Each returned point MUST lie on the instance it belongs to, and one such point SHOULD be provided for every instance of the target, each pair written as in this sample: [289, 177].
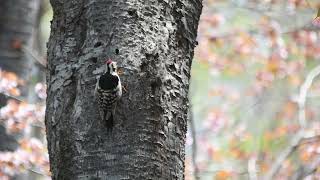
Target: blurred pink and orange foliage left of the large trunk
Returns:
[19, 117]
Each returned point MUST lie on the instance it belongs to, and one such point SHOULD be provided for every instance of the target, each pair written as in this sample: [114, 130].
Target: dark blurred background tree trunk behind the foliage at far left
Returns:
[17, 22]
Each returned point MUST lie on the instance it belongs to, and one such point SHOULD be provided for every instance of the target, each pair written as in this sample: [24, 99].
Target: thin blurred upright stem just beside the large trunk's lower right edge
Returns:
[194, 146]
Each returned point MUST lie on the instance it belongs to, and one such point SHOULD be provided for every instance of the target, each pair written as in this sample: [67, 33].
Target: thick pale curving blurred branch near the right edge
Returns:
[302, 121]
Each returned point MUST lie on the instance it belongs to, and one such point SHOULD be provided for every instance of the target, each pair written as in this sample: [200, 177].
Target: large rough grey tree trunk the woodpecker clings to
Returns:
[153, 41]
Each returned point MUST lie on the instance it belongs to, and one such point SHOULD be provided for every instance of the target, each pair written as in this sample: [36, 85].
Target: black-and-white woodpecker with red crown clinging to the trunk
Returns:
[107, 92]
